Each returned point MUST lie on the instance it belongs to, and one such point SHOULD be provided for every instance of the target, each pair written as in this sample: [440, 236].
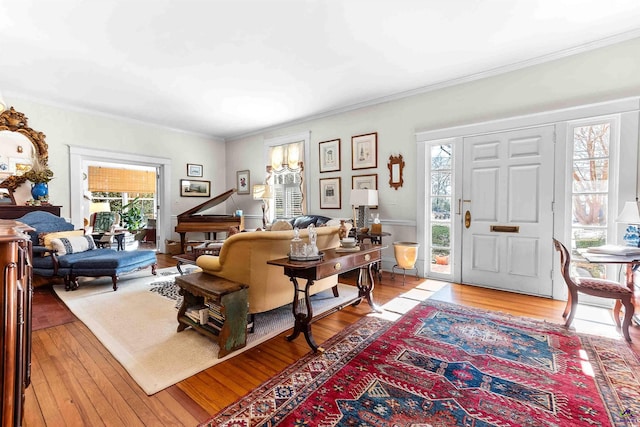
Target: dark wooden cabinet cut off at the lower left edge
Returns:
[15, 338]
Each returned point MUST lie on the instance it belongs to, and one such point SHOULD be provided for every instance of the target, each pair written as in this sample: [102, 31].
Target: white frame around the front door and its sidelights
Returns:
[627, 170]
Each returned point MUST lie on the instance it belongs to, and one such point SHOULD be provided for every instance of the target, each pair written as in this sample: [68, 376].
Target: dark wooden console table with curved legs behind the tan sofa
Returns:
[334, 261]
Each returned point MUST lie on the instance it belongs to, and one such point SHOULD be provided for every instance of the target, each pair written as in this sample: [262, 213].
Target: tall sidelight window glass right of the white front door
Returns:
[590, 192]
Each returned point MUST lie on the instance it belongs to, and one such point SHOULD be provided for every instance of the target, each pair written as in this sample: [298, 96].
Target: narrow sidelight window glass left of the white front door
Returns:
[441, 201]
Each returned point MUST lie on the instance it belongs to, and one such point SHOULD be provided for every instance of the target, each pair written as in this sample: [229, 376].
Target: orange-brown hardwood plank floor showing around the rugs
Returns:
[75, 381]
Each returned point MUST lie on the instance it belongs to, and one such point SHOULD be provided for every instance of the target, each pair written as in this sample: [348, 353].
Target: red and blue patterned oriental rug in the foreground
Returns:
[448, 365]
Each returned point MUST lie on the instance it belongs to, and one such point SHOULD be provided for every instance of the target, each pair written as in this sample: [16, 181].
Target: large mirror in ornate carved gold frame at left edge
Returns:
[19, 144]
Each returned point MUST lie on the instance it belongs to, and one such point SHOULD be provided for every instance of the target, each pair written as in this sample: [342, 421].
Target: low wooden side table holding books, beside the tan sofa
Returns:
[227, 304]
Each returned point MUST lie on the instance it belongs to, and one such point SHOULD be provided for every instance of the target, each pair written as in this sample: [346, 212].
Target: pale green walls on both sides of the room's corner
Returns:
[600, 75]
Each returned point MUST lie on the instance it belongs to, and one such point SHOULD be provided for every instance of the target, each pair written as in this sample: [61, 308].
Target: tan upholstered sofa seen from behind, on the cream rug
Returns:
[243, 259]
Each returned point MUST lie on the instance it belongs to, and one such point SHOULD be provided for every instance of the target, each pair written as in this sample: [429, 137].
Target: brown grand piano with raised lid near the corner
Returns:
[195, 220]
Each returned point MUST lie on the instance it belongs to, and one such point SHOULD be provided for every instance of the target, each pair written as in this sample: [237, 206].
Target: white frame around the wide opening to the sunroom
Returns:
[77, 155]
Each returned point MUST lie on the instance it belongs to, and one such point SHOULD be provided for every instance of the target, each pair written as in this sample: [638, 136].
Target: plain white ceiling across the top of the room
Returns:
[226, 68]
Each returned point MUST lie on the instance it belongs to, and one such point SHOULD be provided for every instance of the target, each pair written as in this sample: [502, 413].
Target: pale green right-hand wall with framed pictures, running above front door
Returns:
[596, 76]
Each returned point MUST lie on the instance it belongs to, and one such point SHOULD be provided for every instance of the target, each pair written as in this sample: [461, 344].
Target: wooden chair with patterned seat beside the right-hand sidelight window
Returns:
[597, 287]
